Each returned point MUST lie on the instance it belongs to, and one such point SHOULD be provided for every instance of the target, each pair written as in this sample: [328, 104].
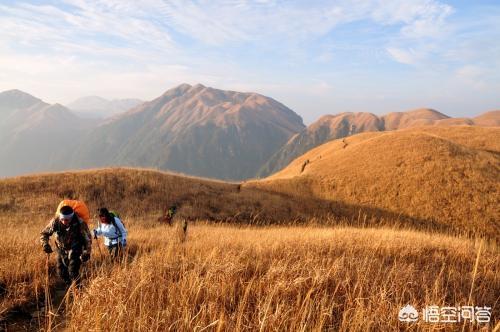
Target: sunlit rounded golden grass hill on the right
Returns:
[446, 176]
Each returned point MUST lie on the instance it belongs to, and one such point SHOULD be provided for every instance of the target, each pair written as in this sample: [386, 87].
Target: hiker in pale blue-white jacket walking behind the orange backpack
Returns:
[113, 230]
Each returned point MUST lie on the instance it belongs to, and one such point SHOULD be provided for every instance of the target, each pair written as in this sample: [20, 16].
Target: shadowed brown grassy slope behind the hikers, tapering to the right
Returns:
[142, 193]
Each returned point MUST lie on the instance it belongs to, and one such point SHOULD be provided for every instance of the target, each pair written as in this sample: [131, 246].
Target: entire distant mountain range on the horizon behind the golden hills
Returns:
[196, 130]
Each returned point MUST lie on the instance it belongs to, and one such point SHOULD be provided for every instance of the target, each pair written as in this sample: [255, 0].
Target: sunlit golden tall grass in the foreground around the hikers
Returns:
[228, 277]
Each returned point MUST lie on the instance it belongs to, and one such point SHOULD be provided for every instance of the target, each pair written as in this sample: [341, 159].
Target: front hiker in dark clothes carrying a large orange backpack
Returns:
[73, 243]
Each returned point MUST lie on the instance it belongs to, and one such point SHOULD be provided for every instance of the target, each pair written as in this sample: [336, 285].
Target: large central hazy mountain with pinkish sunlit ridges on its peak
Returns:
[195, 130]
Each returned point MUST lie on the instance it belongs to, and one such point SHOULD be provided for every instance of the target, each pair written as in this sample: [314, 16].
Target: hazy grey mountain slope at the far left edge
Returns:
[35, 136]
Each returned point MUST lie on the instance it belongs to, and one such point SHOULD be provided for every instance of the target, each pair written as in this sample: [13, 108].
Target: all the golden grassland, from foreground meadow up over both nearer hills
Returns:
[371, 223]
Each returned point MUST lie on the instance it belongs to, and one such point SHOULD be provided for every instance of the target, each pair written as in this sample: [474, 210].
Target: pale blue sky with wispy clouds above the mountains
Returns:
[316, 57]
